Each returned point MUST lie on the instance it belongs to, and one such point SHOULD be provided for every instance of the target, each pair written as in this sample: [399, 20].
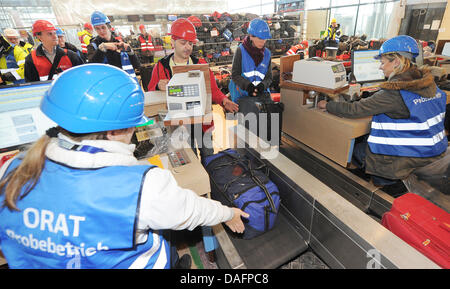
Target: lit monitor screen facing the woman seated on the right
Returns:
[364, 67]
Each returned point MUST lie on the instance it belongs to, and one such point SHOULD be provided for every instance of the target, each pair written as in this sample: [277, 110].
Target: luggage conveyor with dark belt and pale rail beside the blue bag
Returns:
[312, 217]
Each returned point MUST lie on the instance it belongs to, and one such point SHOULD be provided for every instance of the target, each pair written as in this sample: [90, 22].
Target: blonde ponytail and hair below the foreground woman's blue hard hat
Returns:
[27, 174]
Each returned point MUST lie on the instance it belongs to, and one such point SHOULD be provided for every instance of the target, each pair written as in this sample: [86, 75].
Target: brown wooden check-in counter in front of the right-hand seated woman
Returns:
[330, 135]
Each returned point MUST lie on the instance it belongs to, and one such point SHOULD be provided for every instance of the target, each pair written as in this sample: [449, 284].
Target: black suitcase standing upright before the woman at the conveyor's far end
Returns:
[266, 112]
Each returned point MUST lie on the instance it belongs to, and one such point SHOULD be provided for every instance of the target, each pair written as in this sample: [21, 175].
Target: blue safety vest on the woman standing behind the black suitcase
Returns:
[255, 74]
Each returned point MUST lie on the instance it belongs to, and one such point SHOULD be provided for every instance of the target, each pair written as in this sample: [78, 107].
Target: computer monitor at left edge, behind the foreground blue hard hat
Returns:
[21, 120]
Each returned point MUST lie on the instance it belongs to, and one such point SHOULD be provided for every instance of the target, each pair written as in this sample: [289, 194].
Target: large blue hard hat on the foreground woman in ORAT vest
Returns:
[94, 97]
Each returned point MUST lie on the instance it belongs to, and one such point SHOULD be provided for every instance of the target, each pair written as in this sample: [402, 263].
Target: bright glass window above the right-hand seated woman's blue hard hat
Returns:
[373, 19]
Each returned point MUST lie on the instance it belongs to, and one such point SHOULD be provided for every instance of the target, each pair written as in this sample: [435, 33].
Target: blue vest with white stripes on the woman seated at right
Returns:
[421, 135]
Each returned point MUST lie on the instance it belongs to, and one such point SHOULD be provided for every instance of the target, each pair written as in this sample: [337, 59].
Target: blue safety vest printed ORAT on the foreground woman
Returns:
[70, 221]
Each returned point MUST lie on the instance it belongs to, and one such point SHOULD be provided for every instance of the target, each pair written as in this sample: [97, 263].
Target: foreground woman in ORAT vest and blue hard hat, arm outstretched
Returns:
[79, 199]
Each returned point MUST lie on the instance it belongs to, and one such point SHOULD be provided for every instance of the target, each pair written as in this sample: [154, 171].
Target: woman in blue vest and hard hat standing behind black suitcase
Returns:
[252, 71]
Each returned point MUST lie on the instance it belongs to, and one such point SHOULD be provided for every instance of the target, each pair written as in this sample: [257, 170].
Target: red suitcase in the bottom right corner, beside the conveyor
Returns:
[422, 225]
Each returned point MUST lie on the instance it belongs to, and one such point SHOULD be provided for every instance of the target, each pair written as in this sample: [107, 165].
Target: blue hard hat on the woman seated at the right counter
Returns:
[402, 44]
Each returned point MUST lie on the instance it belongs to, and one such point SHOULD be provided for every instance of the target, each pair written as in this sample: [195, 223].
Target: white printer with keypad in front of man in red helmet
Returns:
[186, 94]
